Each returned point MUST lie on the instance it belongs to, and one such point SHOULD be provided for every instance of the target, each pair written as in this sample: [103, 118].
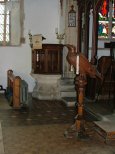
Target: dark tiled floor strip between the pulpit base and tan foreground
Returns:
[39, 112]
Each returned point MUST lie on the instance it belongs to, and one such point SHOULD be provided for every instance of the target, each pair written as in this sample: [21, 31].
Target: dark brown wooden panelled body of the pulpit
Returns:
[47, 60]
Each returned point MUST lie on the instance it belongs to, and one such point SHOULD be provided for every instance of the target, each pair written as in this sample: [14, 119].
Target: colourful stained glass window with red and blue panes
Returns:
[106, 22]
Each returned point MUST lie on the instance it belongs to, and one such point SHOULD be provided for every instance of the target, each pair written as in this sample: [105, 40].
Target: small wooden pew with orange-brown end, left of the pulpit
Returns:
[17, 90]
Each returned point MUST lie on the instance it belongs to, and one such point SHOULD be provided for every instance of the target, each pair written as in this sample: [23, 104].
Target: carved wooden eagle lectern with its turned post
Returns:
[83, 68]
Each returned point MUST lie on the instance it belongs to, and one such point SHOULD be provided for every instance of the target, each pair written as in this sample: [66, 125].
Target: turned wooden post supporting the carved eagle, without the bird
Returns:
[80, 89]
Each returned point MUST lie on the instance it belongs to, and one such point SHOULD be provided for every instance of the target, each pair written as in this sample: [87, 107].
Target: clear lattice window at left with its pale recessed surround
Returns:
[11, 22]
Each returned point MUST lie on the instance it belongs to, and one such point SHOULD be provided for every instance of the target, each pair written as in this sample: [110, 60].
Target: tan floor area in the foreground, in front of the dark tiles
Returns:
[50, 139]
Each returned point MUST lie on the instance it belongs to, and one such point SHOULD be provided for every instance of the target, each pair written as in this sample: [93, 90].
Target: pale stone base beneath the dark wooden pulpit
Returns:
[46, 87]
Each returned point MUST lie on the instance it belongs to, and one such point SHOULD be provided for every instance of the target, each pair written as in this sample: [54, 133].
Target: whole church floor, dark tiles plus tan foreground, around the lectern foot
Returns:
[40, 128]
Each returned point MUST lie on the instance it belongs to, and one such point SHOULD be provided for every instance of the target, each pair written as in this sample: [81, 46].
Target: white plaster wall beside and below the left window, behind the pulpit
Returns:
[41, 17]
